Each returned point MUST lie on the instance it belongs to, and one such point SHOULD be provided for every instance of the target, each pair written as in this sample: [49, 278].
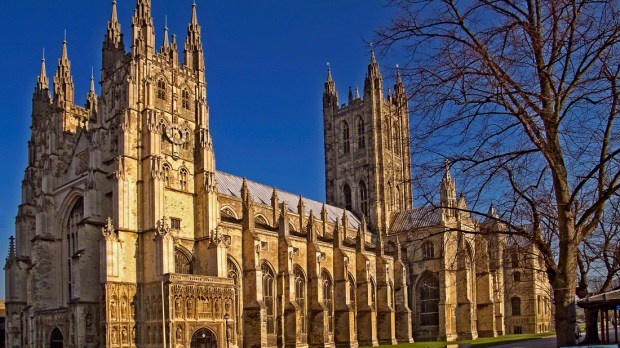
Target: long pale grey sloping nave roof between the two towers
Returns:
[230, 185]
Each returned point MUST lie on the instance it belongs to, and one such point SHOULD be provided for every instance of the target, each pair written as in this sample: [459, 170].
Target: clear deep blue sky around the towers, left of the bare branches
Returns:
[265, 66]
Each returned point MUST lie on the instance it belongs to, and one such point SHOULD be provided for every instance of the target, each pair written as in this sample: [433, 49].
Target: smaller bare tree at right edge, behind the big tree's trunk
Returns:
[599, 263]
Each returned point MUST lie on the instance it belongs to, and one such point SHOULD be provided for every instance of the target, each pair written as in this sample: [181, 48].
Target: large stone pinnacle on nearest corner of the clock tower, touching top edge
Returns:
[143, 43]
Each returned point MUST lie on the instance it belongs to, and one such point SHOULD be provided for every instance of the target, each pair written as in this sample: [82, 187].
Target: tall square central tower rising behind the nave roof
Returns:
[367, 156]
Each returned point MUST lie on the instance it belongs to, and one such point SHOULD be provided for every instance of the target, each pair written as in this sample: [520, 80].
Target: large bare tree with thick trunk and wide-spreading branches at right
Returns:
[522, 97]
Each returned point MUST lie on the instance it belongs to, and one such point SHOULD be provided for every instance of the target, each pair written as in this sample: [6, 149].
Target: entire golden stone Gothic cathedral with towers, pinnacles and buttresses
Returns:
[128, 236]
